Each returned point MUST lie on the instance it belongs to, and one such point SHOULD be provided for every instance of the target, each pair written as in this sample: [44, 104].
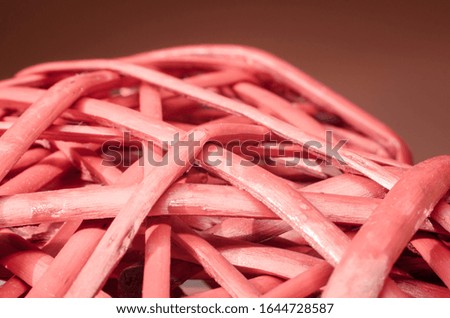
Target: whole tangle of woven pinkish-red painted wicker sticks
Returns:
[220, 163]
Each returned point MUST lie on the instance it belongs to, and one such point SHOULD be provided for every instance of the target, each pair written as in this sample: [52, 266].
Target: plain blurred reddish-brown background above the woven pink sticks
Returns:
[390, 57]
